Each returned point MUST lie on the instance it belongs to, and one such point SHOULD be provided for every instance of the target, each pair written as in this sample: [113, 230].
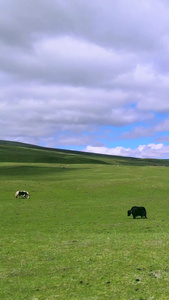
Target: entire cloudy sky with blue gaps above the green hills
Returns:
[86, 75]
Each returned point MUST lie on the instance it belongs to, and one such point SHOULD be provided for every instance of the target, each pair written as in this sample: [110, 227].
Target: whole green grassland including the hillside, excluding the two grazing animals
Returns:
[72, 239]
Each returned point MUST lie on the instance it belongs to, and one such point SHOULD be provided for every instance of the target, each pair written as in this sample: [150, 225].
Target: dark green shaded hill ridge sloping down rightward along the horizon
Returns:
[11, 151]
